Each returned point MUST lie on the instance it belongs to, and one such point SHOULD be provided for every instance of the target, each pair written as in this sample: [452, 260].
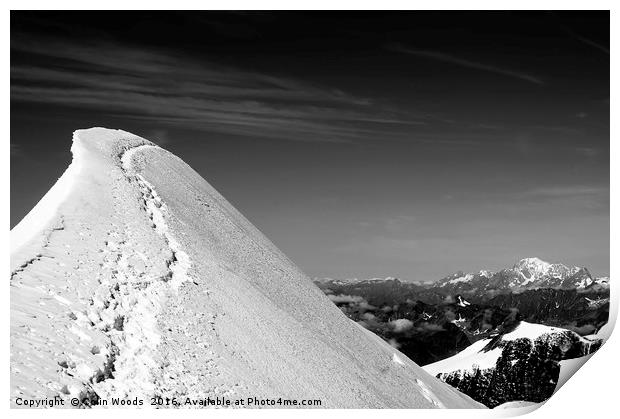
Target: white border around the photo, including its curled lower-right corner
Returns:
[592, 391]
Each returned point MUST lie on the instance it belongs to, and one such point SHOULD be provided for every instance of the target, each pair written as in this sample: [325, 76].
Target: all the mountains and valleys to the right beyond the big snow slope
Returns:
[475, 317]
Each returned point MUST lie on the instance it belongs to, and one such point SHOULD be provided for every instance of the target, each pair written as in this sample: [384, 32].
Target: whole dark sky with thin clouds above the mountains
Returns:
[408, 144]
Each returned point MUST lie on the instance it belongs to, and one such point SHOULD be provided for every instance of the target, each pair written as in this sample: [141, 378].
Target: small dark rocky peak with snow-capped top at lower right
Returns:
[522, 364]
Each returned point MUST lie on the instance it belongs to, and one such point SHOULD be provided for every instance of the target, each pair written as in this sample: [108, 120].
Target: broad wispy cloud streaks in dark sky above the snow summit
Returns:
[165, 88]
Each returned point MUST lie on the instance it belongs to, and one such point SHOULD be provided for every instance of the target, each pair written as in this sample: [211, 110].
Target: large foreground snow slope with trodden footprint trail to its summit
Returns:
[135, 278]
